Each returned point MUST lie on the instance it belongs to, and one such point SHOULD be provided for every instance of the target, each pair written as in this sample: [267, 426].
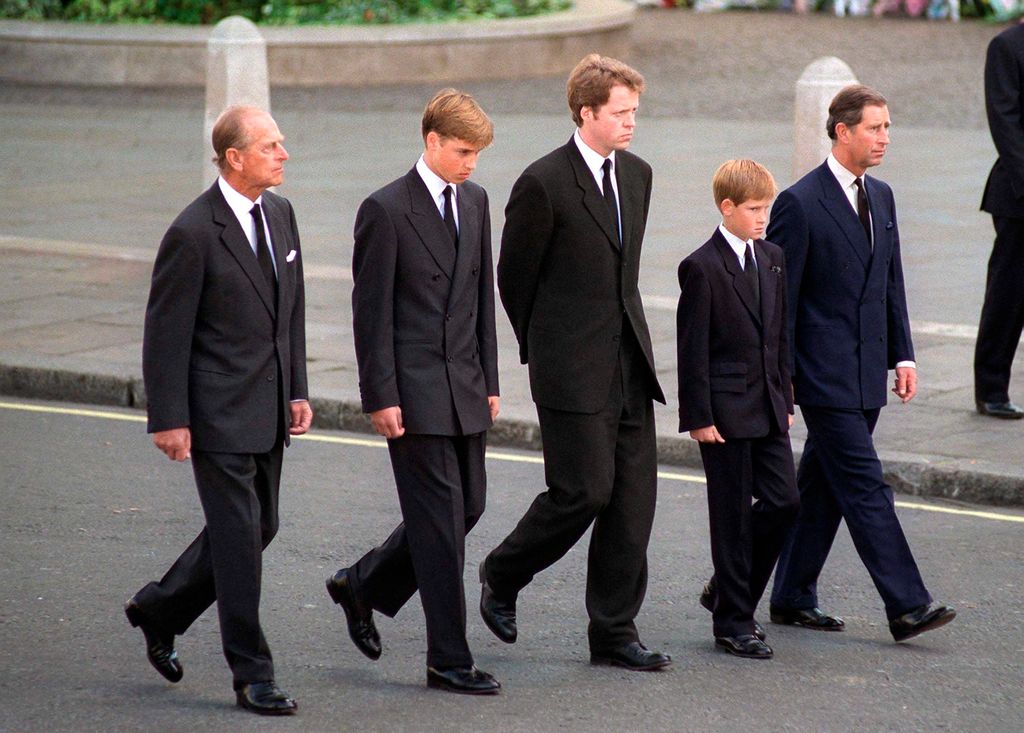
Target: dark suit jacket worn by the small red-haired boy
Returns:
[732, 355]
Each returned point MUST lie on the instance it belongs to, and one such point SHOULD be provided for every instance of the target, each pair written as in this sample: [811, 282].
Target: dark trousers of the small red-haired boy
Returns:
[746, 538]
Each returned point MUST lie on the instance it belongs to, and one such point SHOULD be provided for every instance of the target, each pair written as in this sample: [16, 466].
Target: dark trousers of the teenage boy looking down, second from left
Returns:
[442, 487]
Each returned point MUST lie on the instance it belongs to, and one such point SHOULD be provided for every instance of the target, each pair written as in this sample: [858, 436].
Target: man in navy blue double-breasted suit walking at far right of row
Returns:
[848, 327]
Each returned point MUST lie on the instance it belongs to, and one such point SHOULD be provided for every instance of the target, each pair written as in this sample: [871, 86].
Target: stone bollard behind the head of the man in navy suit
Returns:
[821, 81]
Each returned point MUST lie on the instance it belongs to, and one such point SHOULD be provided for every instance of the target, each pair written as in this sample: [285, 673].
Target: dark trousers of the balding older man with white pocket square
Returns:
[239, 494]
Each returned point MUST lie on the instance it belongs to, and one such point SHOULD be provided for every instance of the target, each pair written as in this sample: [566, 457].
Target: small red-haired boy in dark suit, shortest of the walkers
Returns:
[736, 398]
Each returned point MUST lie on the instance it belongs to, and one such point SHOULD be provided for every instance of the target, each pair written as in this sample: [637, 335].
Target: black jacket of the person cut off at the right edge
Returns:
[1005, 104]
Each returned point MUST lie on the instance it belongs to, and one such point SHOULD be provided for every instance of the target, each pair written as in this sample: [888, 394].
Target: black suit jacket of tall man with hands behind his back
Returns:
[568, 287]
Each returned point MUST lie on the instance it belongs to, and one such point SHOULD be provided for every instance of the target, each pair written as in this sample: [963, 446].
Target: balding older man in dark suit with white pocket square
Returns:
[225, 364]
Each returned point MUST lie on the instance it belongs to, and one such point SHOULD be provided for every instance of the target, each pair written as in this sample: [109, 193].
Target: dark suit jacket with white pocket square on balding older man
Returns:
[214, 351]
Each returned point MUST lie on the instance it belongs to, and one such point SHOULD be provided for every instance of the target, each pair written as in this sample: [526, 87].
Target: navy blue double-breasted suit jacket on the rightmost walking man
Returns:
[848, 317]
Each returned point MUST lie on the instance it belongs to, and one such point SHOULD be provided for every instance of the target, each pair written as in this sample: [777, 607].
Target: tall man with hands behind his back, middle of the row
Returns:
[568, 277]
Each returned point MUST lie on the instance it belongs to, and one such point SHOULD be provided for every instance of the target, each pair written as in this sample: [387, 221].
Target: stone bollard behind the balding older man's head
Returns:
[236, 74]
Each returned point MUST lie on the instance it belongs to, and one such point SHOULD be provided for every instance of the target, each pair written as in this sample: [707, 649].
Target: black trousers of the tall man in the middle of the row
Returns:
[601, 469]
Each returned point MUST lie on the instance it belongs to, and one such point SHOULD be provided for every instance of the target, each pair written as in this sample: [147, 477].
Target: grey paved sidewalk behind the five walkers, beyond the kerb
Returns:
[94, 180]
